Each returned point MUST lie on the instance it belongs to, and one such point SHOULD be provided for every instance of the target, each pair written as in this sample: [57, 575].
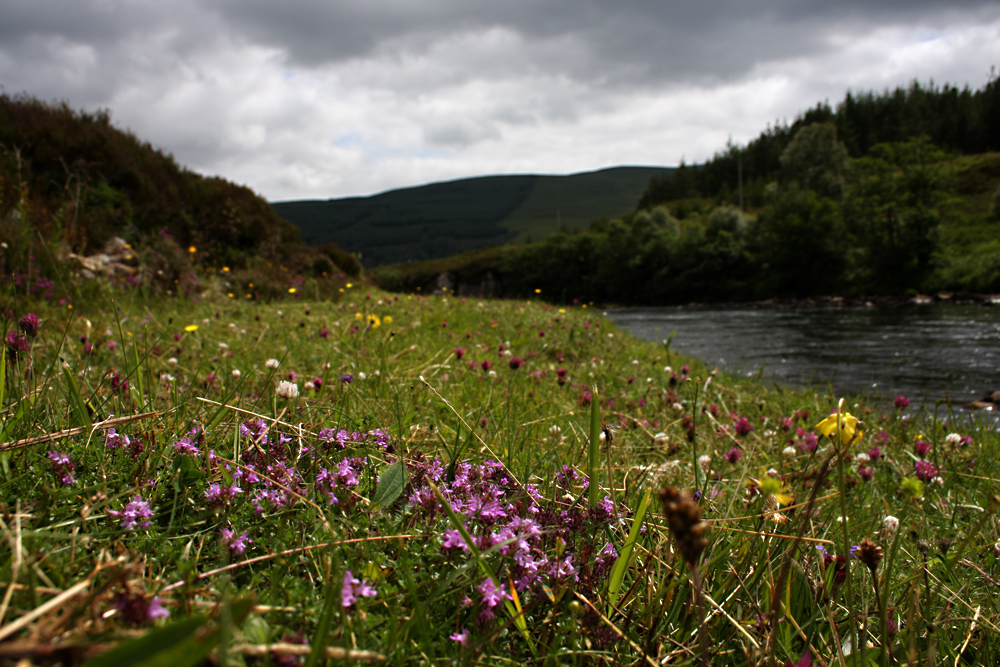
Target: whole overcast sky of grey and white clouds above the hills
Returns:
[331, 98]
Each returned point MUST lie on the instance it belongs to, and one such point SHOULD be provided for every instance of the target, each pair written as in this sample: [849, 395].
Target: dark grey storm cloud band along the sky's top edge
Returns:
[627, 41]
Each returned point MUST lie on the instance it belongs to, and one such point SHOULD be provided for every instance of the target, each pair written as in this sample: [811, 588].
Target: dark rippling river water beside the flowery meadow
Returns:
[933, 351]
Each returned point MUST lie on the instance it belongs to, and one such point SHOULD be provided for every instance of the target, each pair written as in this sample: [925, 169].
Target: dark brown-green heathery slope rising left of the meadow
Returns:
[71, 182]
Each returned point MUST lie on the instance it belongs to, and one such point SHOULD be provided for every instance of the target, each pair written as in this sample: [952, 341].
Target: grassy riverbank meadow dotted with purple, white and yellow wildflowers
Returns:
[451, 481]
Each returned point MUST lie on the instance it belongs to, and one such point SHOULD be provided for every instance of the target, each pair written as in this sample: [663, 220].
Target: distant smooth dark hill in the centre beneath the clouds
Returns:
[444, 219]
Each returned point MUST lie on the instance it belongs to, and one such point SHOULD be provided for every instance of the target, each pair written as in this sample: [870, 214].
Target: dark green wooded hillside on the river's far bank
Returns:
[889, 193]
